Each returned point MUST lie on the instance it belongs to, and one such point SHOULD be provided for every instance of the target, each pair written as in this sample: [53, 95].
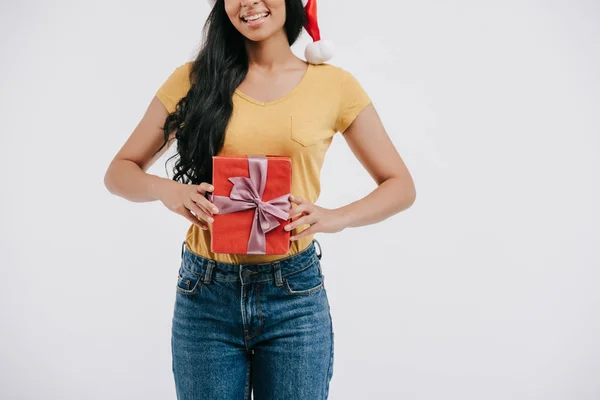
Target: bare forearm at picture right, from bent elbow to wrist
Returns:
[391, 197]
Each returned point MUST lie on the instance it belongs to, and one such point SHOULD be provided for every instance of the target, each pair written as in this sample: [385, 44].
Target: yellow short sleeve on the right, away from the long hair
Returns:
[353, 99]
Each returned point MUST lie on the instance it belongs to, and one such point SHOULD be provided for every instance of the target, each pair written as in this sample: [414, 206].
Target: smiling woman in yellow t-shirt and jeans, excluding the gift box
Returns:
[257, 323]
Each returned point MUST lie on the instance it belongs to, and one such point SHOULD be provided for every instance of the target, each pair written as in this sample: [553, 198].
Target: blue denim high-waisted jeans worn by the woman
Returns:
[261, 328]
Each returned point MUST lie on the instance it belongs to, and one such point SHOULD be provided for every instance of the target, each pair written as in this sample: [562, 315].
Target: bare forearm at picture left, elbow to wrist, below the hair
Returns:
[126, 179]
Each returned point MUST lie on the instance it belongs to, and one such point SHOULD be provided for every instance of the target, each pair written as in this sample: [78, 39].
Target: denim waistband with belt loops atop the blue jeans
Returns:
[247, 273]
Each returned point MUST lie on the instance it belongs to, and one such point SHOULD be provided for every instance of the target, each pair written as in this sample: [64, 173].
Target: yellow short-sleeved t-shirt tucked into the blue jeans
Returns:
[301, 125]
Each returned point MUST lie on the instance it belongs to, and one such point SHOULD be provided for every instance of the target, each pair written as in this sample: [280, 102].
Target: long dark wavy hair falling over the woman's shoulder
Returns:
[201, 117]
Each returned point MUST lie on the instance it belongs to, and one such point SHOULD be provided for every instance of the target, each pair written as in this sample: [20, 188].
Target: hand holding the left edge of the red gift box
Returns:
[184, 199]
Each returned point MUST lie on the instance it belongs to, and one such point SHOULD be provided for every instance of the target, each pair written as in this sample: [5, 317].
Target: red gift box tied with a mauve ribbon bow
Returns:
[252, 195]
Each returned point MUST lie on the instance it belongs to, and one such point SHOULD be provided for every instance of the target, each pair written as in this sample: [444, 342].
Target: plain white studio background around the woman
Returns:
[486, 288]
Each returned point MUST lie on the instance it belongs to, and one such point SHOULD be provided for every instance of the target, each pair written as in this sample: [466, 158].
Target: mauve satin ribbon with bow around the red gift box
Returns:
[247, 194]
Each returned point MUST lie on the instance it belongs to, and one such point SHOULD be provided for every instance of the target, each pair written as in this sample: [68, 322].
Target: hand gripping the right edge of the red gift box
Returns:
[320, 219]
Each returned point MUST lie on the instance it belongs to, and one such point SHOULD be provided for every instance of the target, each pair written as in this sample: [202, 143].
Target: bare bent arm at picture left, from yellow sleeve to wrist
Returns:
[126, 175]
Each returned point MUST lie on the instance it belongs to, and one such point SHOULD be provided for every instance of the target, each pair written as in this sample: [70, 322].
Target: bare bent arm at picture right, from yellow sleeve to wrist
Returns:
[372, 146]
